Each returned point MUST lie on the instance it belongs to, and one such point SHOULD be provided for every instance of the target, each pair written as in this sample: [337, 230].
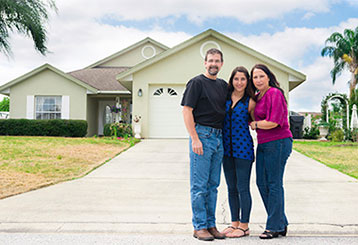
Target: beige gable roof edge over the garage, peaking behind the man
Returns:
[297, 76]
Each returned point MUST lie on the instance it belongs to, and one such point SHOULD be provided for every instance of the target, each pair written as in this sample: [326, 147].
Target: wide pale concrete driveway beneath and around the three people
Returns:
[145, 190]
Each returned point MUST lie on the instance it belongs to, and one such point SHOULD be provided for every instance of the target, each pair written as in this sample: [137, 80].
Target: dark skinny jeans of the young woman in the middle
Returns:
[237, 174]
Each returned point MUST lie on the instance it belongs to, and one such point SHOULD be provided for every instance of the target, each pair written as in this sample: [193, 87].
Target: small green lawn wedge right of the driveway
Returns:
[342, 156]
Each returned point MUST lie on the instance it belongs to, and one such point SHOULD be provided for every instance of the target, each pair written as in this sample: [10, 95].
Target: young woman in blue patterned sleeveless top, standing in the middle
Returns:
[238, 151]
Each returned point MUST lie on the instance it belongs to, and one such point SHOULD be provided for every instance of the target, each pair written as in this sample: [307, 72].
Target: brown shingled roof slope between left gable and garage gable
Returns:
[101, 78]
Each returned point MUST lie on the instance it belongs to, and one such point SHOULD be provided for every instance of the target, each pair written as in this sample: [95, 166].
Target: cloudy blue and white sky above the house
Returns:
[292, 32]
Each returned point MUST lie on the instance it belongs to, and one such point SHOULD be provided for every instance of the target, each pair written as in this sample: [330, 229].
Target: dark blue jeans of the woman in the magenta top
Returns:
[271, 158]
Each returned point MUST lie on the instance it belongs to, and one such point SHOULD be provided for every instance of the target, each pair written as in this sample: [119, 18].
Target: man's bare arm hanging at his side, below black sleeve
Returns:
[196, 144]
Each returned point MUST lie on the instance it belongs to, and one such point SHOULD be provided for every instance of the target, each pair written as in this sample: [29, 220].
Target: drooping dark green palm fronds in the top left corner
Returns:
[26, 17]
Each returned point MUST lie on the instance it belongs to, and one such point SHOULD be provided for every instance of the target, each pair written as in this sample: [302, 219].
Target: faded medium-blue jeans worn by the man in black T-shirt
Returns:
[205, 176]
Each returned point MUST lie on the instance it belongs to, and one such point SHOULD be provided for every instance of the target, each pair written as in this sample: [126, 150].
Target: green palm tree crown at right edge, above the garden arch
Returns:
[344, 51]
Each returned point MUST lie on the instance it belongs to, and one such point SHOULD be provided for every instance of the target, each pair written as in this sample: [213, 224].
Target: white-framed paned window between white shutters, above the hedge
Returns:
[48, 107]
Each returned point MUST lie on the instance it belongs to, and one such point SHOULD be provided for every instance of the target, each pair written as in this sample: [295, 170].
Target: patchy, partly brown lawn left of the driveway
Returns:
[28, 163]
